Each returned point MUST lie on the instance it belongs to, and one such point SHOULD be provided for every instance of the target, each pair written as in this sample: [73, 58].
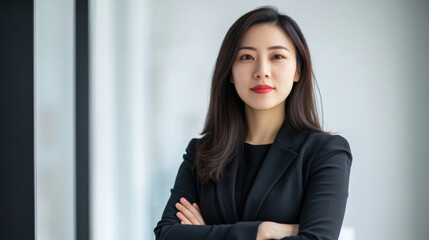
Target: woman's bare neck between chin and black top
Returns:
[263, 125]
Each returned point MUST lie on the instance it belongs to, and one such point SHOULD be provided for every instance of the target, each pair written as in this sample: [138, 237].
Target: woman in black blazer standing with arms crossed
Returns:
[264, 168]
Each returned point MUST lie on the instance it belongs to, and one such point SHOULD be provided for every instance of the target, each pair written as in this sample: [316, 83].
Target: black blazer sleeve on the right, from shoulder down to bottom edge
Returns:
[326, 192]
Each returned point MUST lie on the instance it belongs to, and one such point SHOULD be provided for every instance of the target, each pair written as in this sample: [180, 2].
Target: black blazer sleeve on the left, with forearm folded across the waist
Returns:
[169, 226]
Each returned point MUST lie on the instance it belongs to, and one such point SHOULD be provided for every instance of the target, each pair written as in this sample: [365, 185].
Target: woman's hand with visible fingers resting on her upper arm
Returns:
[189, 213]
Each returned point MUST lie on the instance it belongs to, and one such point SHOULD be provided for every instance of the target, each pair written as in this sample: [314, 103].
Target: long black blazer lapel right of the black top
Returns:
[277, 161]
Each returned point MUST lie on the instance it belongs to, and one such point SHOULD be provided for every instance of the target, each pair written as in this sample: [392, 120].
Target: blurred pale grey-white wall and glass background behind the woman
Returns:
[150, 66]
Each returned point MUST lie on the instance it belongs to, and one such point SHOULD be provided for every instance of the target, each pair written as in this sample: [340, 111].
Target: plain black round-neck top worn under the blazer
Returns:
[251, 160]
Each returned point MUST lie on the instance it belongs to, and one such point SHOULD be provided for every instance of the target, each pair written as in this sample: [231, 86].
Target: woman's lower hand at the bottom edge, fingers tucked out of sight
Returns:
[273, 230]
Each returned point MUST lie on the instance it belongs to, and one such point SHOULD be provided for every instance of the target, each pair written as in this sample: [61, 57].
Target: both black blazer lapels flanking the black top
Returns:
[278, 159]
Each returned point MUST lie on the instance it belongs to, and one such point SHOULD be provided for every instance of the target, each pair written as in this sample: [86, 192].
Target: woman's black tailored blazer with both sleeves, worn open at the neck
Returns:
[303, 180]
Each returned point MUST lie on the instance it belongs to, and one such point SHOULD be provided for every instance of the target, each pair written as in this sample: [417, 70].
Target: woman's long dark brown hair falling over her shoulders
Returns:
[226, 128]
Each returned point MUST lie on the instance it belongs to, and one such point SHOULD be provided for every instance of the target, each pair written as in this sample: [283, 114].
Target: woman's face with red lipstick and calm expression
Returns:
[265, 67]
